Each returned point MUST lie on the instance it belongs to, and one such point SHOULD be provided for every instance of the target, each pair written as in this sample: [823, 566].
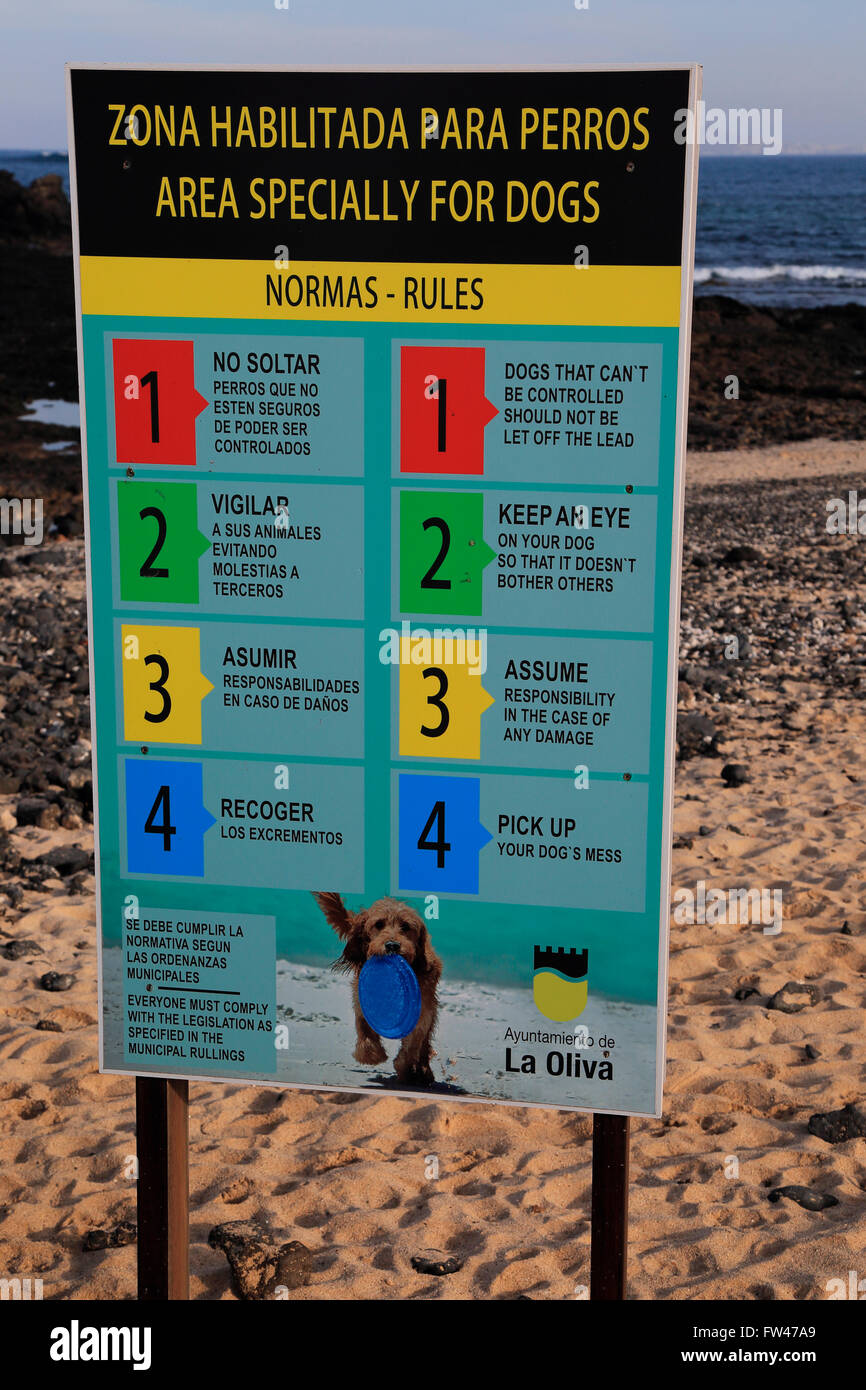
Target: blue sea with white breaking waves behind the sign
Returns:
[772, 230]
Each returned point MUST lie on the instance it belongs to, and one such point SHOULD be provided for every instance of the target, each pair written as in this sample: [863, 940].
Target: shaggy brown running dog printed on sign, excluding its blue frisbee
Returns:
[389, 928]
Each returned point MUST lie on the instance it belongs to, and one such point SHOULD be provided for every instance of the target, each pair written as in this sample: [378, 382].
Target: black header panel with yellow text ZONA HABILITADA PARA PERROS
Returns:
[439, 167]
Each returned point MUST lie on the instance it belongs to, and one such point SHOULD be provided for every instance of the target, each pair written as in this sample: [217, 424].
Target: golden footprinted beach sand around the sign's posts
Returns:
[370, 1182]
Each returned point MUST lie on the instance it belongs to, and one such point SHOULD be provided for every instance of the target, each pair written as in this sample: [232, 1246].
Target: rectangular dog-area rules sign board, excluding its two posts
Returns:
[384, 382]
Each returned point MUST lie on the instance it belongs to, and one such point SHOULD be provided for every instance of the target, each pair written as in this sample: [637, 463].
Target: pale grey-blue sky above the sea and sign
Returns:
[801, 56]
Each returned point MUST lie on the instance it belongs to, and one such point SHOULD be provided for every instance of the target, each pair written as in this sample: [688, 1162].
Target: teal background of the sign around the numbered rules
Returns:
[355, 597]
